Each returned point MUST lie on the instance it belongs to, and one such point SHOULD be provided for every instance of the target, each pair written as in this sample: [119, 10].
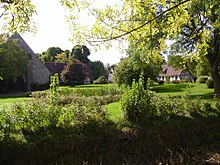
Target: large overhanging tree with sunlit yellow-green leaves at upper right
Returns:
[194, 23]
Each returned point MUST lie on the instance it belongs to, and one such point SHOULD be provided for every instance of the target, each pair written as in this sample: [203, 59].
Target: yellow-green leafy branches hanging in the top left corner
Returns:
[16, 16]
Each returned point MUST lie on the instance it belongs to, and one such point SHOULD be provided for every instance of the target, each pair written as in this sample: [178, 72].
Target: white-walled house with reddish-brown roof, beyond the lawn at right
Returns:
[169, 74]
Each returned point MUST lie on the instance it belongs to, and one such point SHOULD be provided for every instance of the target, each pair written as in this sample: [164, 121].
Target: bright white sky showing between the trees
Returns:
[53, 31]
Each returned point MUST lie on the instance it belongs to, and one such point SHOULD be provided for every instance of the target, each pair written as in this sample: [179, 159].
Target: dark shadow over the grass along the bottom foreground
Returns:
[181, 141]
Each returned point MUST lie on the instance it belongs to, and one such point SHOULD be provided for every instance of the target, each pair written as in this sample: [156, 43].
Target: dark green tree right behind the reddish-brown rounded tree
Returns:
[98, 69]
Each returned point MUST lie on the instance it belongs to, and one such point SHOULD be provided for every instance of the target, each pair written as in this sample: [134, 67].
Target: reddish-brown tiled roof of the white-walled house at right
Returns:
[170, 71]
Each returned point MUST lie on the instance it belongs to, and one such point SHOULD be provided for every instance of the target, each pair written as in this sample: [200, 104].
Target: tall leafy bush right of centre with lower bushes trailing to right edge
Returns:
[142, 106]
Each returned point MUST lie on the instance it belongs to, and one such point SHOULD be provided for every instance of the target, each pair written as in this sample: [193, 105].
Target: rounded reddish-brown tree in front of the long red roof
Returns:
[73, 74]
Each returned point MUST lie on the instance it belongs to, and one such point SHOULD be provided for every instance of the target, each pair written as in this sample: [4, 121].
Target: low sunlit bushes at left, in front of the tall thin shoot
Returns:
[38, 114]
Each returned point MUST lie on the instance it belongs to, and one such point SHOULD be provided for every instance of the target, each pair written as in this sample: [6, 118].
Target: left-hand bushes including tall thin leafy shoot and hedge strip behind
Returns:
[56, 109]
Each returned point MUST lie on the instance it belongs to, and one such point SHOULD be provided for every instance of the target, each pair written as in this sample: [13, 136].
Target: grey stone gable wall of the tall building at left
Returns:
[37, 74]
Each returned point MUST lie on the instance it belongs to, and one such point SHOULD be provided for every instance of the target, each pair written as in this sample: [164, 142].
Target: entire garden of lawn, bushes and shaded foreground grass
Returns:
[105, 124]
